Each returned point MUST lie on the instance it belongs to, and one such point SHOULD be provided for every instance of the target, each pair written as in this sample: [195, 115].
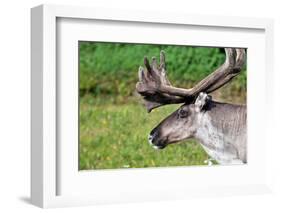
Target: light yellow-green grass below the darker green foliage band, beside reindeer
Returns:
[115, 136]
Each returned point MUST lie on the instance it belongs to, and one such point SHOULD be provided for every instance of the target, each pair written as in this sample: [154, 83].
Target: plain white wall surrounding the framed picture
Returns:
[15, 89]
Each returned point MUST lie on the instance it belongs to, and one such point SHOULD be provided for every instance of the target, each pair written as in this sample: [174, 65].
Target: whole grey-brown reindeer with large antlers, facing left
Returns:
[220, 128]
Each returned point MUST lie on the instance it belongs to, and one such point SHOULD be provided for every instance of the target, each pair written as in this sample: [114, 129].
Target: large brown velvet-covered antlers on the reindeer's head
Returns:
[157, 90]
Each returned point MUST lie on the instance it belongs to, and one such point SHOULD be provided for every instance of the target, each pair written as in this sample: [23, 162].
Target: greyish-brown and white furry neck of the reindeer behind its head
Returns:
[218, 128]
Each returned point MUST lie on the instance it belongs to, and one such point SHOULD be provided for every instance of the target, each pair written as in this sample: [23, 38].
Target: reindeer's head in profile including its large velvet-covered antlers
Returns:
[157, 90]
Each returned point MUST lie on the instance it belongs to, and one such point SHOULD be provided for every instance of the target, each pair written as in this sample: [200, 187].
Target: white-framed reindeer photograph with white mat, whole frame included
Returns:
[130, 106]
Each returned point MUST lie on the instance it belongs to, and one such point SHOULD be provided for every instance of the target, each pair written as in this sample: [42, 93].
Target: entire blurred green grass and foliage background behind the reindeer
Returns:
[114, 125]
